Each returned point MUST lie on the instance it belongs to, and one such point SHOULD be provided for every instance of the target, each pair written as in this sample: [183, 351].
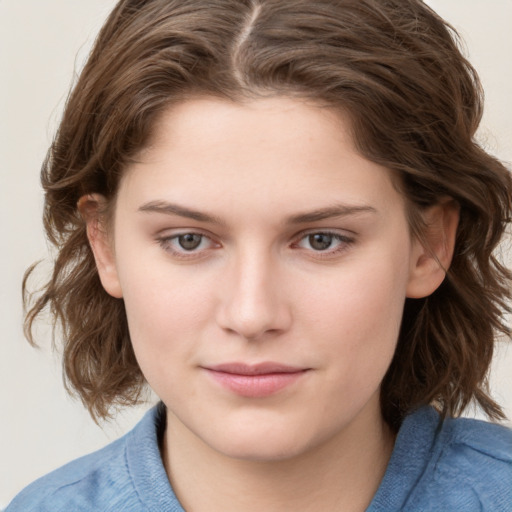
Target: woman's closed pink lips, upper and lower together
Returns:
[255, 381]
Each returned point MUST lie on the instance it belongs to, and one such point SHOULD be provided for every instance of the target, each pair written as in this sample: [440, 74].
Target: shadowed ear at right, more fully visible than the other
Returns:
[431, 257]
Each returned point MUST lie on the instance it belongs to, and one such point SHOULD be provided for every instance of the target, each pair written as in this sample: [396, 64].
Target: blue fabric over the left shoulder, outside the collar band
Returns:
[101, 481]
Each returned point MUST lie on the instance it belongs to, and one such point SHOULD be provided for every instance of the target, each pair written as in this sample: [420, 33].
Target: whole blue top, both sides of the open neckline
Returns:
[466, 465]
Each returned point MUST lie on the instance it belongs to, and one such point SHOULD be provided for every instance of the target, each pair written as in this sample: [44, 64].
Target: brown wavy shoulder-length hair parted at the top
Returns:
[415, 104]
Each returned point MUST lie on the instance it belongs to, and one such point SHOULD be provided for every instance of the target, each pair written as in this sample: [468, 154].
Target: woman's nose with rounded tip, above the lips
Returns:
[253, 302]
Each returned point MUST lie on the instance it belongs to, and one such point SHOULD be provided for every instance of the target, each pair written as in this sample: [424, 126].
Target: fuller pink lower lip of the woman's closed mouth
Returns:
[256, 386]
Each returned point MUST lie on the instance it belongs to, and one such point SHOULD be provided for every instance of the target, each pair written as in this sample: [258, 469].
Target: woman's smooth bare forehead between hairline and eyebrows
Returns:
[275, 153]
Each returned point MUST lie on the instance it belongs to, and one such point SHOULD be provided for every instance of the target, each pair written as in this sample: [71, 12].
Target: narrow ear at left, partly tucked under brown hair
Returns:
[92, 209]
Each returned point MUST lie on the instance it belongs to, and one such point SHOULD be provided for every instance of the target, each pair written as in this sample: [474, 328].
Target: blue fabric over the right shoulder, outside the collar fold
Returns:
[469, 467]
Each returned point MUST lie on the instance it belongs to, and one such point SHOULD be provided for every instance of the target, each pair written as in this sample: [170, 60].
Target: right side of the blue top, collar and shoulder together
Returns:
[457, 464]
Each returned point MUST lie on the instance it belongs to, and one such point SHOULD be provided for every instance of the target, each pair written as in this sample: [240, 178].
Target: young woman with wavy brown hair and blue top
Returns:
[275, 214]
